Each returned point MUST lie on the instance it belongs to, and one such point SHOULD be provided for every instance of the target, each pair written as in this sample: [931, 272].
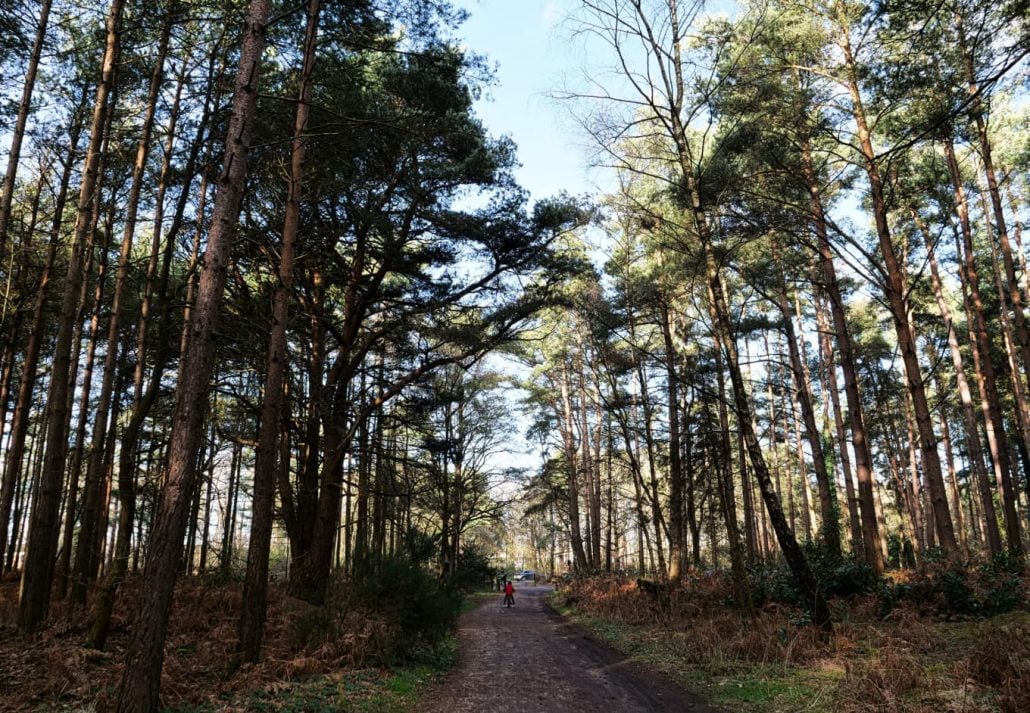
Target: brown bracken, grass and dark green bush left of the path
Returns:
[374, 647]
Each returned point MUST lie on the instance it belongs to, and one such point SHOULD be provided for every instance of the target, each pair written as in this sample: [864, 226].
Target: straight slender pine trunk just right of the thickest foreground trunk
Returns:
[256, 584]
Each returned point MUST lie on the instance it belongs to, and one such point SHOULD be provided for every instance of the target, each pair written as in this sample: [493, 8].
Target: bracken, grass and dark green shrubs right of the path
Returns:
[949, 638]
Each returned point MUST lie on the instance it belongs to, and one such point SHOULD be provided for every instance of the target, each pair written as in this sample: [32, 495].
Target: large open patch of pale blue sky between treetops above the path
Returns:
[525, 41]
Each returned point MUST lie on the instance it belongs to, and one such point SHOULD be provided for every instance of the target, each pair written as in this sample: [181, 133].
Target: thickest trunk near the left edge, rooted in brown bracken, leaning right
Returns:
[39, 573]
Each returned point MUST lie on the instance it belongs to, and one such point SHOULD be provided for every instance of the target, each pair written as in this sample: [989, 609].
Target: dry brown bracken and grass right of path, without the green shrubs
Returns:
[909, 662]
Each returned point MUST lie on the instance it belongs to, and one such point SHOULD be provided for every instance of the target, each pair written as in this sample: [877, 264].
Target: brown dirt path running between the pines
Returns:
[529, 657]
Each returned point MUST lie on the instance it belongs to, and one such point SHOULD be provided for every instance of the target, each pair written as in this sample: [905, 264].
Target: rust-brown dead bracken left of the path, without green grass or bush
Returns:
[54, 670]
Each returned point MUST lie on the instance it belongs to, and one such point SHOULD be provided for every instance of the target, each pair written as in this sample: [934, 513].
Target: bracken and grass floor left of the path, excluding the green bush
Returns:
[313, 662]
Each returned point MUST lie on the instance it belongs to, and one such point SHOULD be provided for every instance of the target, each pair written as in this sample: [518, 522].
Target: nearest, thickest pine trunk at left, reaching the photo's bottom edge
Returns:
[142, 680]
